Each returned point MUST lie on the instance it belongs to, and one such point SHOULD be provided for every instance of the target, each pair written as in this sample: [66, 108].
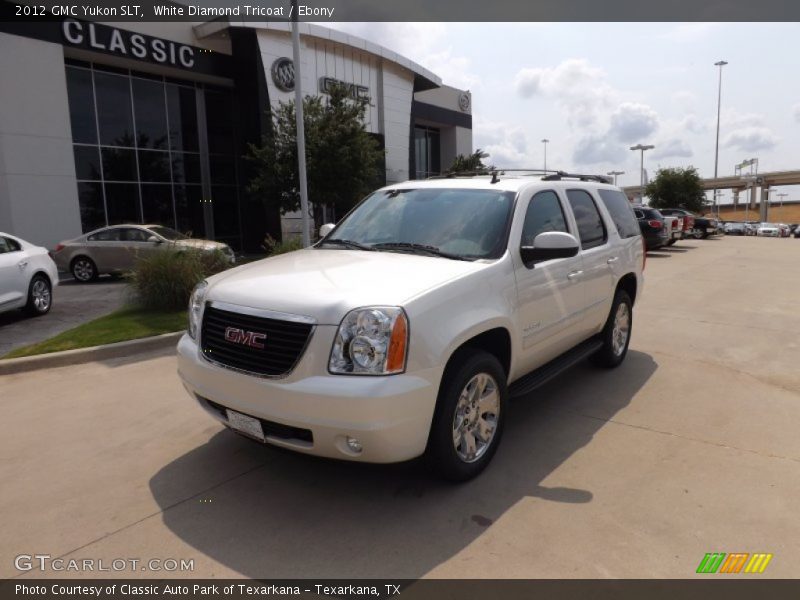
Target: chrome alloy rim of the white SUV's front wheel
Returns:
[475, 418]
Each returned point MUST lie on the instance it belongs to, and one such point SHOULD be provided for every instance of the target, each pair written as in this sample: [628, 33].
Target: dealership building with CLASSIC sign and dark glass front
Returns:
[104, 123]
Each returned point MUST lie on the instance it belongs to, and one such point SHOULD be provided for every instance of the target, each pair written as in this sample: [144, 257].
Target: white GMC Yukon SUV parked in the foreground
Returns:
[406, 329]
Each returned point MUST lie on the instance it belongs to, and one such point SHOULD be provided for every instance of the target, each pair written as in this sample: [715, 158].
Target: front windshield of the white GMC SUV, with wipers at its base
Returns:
[468, 224]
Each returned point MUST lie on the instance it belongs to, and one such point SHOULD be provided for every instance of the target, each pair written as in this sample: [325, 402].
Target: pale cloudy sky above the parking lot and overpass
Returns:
[595, 89]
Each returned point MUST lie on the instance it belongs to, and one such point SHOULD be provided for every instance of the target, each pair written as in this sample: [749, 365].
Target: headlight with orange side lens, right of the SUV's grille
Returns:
[371, 341]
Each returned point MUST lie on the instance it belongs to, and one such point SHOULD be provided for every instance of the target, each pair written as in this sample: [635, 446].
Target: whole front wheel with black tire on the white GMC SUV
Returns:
[466, 371]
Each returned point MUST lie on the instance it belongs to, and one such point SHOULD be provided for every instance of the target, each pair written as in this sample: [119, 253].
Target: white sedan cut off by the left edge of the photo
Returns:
[27, 276]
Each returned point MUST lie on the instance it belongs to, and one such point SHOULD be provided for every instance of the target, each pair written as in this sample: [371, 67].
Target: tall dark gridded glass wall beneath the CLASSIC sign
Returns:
[150, 149]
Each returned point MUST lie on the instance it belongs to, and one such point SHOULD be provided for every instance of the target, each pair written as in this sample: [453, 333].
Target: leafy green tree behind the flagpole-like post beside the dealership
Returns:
[343, 161]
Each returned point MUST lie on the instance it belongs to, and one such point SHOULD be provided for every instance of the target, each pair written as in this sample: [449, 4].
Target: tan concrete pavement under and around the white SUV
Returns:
[690, 447]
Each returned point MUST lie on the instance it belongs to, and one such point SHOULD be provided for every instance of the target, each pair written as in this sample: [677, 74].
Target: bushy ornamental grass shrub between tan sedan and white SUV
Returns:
[165, 280]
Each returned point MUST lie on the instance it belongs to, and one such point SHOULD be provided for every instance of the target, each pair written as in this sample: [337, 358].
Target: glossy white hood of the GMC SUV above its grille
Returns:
[327, 283]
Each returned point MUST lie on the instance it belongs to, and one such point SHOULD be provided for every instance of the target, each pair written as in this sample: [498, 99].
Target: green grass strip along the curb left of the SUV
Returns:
[122, 325]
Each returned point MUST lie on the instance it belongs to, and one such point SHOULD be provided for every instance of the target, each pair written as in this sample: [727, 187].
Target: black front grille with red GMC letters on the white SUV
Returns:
[283, 345]
